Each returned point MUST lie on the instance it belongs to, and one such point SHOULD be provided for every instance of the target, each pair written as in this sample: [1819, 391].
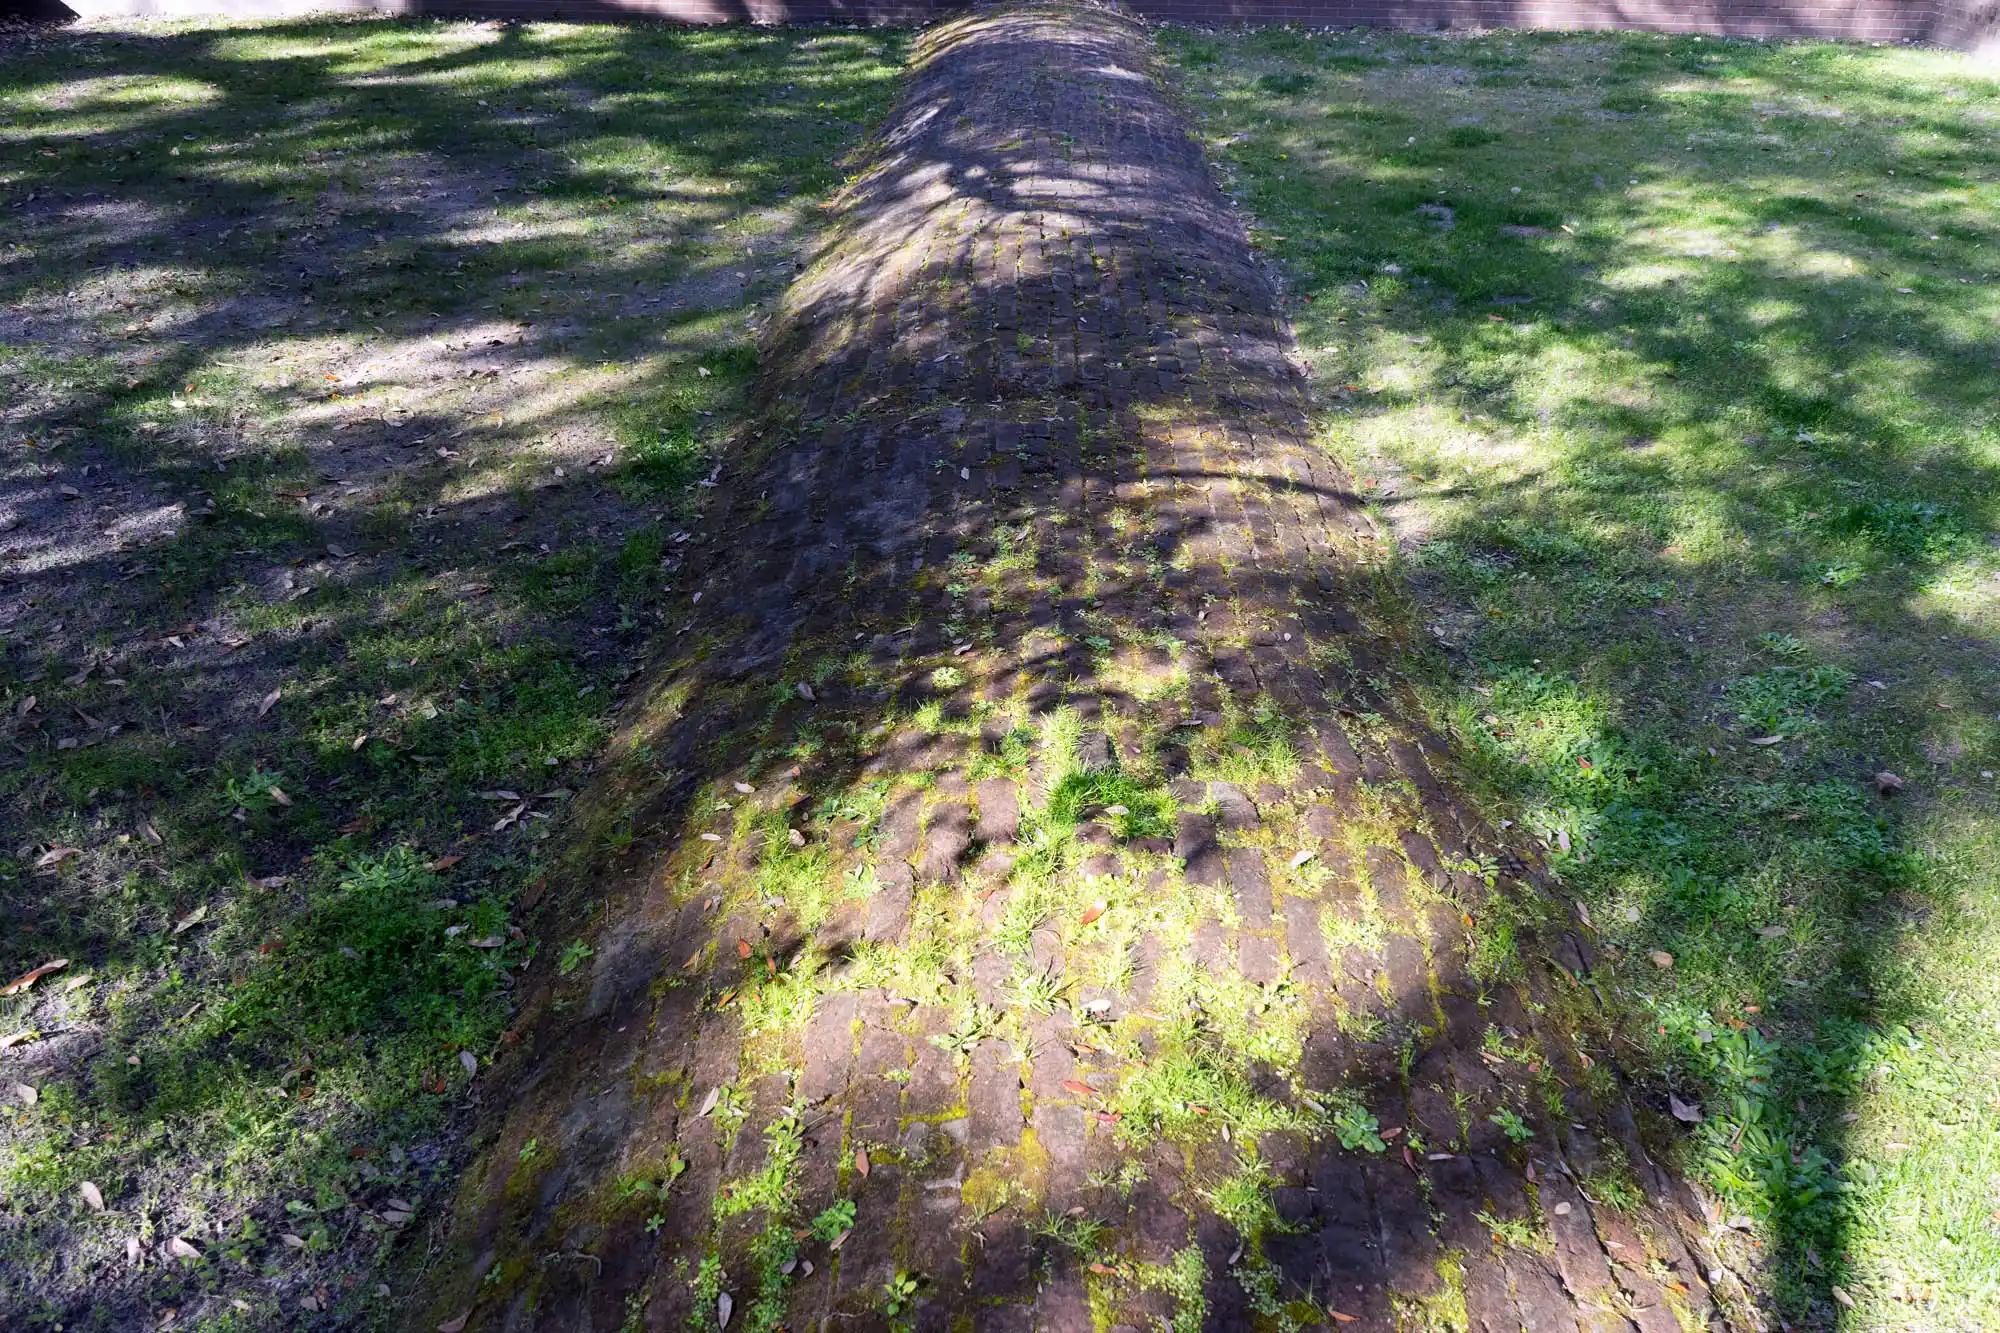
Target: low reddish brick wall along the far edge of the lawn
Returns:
[1965, 25]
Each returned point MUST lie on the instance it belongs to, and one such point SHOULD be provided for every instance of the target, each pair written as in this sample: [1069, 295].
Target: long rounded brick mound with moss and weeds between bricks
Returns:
[1045, 856]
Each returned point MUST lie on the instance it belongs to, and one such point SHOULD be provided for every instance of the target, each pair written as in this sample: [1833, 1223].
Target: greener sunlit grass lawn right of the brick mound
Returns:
[1671, 367]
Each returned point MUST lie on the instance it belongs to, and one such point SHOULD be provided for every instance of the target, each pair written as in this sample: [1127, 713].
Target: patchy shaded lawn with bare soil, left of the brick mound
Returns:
[361, 381]
